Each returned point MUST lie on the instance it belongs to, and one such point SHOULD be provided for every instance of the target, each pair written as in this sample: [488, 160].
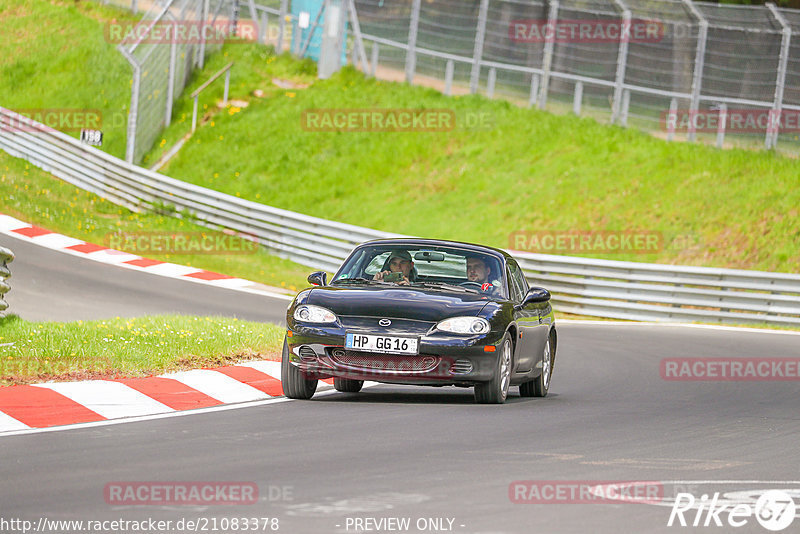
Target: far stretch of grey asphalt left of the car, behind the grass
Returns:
[48, 285]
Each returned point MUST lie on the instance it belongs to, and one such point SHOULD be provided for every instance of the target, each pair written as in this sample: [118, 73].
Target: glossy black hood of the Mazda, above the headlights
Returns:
[403, 303]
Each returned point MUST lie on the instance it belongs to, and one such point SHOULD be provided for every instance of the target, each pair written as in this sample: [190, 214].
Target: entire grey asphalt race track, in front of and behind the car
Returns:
[409, 452]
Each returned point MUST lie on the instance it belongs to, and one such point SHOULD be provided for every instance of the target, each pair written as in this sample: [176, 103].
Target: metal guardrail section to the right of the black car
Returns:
[654, 292]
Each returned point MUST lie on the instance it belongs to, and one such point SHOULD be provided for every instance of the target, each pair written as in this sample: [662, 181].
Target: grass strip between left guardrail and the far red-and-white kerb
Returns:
[36, 197]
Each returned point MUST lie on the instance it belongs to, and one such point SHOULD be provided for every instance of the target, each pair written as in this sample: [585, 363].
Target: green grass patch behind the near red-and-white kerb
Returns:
[40, 351]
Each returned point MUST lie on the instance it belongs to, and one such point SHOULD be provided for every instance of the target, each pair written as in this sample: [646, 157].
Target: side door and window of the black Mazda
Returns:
[532, 333]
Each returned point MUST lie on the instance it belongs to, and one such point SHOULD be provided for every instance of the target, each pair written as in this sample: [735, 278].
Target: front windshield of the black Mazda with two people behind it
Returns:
[446, 268]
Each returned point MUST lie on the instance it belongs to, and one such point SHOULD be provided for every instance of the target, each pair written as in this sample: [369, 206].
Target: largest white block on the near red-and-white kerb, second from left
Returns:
[109, 399]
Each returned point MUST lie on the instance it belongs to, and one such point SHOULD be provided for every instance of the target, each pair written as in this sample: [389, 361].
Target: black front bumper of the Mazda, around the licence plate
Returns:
[443, 359]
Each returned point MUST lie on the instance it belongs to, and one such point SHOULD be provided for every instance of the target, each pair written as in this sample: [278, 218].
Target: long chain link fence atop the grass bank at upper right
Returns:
[683, 70]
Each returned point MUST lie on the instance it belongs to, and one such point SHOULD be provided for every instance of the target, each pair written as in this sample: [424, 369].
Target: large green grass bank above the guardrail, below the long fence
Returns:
[532, 171]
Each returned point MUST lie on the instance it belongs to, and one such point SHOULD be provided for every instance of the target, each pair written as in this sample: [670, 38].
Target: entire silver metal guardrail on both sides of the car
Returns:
[603, 288]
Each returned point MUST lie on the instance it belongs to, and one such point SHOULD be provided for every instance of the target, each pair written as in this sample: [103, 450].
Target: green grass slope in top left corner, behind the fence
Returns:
[54, 55]
